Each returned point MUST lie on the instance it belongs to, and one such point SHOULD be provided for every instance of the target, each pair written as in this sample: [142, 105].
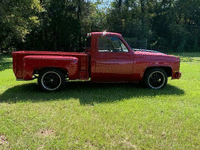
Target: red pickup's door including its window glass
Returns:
[114, 62]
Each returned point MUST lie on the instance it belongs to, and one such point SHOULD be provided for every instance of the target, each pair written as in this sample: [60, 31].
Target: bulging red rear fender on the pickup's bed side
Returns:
[39, 62]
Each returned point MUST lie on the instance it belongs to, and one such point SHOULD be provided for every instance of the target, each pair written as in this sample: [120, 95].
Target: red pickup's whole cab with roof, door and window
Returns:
[111, 58]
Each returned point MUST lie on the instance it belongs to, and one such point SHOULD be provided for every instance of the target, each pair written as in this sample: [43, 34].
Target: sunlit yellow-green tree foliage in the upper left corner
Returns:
[17, 20]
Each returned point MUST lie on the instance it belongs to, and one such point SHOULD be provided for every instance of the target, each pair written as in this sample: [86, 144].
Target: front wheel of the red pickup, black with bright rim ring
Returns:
[155, 78]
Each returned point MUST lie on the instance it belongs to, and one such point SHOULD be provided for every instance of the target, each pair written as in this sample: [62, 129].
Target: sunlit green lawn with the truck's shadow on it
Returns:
[101, 116]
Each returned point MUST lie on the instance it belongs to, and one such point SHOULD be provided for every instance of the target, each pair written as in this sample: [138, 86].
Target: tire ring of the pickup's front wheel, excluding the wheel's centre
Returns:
[152, 71]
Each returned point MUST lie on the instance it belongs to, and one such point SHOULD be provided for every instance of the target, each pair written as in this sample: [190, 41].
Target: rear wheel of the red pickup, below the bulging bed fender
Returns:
[51, 80]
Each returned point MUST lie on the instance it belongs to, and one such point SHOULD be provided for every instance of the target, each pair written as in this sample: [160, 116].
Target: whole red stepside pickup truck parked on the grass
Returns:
[107, 58]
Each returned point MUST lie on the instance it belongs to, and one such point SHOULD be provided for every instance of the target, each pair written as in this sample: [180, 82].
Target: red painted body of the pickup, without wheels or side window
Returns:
[127, 66]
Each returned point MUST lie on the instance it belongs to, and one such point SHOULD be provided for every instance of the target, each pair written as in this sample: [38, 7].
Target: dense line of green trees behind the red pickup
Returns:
[62, 25]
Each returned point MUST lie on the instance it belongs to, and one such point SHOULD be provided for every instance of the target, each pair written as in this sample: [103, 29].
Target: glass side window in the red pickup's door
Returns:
[111, 44]
